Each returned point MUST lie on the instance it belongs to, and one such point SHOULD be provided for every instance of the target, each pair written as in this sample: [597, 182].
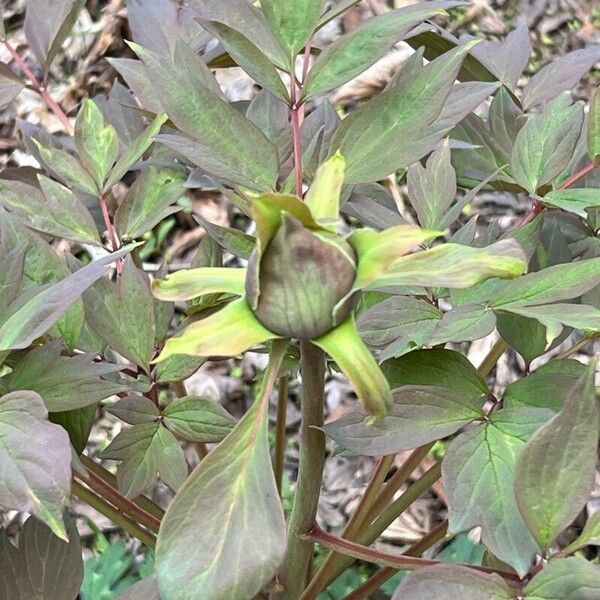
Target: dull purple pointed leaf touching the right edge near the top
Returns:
[561, 74]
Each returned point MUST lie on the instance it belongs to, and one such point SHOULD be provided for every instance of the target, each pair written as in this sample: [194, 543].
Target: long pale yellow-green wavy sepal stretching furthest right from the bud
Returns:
[455, 266]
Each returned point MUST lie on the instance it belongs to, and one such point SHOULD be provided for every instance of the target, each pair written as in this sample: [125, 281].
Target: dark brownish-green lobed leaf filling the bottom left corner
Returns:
[43, 566]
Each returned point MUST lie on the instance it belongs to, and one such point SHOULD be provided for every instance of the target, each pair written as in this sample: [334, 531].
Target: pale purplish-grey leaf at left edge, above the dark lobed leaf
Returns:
[35, 459]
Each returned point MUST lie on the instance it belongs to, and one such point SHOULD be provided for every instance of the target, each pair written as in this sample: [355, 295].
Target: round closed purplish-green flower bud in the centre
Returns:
[295, 285]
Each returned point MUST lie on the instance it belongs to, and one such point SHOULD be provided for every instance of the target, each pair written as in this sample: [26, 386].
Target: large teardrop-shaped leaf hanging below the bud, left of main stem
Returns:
[232, 499]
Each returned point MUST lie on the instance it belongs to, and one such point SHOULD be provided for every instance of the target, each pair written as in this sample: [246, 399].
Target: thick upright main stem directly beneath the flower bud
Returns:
[299, 552]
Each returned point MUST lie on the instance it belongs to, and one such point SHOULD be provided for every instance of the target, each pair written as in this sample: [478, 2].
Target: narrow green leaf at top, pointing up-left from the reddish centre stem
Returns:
[245, 53]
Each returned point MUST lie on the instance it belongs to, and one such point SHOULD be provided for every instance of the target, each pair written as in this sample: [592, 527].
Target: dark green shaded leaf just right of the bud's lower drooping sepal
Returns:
[437, 367]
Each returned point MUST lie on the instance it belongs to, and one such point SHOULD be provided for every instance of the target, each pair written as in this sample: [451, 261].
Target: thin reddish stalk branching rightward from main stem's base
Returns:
[396, 561]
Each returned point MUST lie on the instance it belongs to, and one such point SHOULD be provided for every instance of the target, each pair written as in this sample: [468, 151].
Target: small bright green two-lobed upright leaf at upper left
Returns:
[97, 144]
